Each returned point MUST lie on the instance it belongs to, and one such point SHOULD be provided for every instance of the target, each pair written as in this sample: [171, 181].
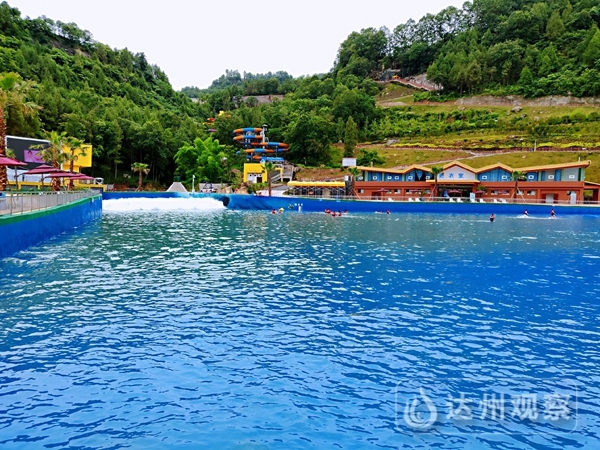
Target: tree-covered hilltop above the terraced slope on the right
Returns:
[524, 47]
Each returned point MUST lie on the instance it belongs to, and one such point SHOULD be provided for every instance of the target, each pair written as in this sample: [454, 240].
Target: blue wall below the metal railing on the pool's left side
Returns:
[19, 232]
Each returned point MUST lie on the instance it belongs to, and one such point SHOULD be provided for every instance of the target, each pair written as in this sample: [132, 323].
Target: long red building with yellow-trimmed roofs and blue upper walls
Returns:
[554, 183]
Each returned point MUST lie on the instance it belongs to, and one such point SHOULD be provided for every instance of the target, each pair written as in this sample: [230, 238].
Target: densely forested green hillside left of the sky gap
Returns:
[113, 99]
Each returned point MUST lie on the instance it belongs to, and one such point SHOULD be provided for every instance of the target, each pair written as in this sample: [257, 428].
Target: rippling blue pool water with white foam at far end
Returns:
[201, 327]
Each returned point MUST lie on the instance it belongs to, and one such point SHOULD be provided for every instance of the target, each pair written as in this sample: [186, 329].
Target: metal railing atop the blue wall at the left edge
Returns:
[12, 203]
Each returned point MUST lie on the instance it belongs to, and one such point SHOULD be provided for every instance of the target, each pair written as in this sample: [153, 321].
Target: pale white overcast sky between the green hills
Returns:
[193, 42]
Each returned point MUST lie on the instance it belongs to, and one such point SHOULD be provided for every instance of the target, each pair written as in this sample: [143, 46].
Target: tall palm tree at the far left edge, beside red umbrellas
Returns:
[13, 90]
